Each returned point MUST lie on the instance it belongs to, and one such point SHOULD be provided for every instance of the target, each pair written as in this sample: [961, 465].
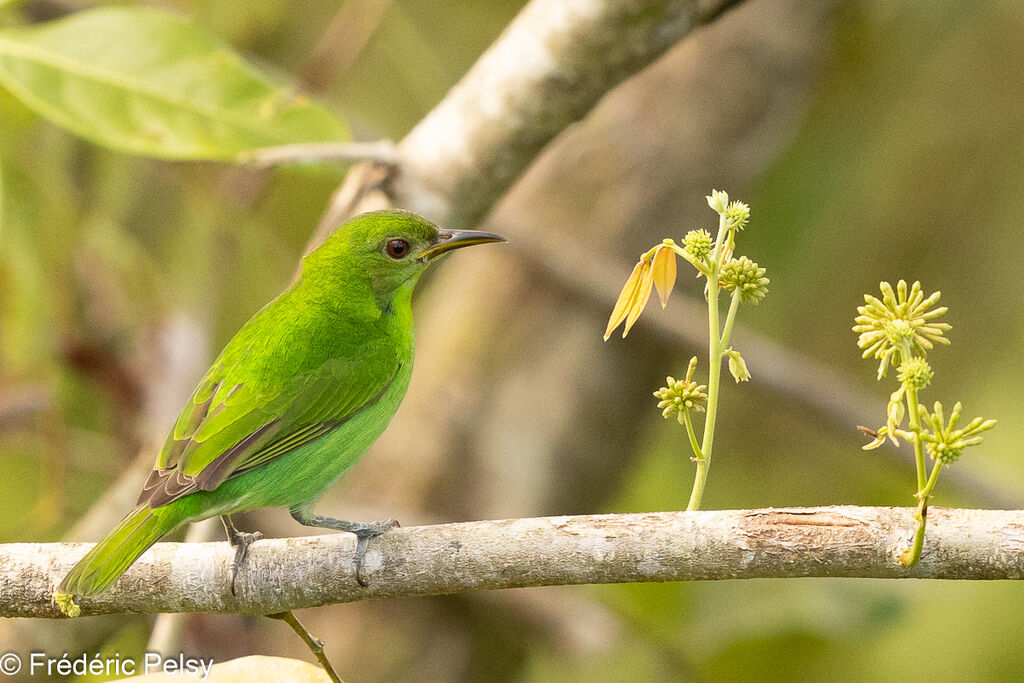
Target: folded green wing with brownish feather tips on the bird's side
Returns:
[231, 425]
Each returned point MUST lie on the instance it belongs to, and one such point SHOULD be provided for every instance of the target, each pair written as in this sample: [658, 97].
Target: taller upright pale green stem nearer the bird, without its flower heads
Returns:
[715, 353]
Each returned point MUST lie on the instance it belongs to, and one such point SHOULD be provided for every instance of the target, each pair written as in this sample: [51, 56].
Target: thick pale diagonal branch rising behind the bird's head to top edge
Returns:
[554, 62]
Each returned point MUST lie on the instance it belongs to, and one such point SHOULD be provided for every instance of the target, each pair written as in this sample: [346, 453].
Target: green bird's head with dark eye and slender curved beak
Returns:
[392, 247]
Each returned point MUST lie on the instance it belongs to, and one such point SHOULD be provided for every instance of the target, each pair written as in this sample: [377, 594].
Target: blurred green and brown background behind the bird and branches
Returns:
[874, 141]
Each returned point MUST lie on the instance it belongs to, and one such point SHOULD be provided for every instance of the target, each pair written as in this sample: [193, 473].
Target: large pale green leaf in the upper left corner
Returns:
[148, 82]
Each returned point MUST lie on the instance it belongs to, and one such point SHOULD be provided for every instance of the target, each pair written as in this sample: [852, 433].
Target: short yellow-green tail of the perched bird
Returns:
[111, 558]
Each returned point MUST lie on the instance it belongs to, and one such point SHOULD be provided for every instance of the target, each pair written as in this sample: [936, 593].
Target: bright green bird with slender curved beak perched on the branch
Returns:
[296, 398]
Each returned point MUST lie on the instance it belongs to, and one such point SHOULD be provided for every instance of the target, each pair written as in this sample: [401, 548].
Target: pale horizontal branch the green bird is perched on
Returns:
[290, 574]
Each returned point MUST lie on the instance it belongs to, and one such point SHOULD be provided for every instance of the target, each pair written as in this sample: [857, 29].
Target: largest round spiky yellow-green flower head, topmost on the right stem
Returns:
[901, 322]
